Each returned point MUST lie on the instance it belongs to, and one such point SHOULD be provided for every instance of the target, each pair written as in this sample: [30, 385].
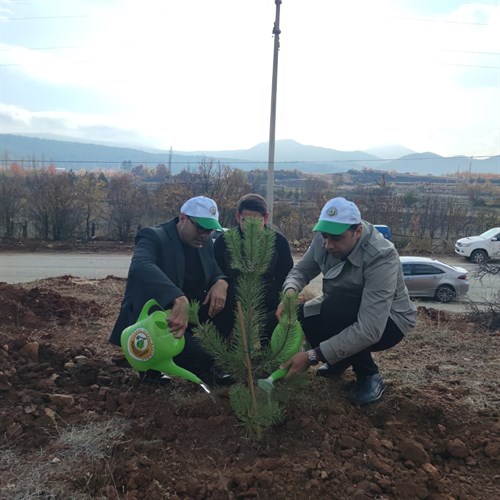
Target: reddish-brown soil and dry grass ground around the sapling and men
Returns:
[73, 424]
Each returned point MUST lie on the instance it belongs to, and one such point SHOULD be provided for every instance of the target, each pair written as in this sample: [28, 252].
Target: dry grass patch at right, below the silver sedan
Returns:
[450, 355]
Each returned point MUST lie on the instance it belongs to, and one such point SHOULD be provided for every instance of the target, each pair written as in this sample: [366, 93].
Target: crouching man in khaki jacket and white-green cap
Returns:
[365, 305]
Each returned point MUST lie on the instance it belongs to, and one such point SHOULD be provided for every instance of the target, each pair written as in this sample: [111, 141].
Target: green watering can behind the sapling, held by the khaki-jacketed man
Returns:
[286, 346]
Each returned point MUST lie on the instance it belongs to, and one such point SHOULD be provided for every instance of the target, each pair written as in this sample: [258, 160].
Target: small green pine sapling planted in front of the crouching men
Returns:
[247, 355]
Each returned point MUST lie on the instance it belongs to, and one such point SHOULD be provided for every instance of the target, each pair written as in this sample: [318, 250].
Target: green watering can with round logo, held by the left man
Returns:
[149, 345]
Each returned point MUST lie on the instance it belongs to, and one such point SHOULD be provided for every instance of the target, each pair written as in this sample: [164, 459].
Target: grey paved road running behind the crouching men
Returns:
[21, 267]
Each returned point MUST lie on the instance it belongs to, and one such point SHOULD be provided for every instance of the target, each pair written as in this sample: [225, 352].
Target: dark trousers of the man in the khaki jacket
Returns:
[337, 313]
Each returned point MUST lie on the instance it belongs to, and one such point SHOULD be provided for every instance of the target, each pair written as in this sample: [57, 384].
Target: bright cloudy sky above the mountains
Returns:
[195, 75]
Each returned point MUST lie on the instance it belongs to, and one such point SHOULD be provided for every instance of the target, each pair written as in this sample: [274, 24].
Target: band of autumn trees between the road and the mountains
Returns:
[53, 205]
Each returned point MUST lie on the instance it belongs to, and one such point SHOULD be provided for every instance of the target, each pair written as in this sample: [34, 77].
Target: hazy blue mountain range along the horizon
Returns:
[289, 155]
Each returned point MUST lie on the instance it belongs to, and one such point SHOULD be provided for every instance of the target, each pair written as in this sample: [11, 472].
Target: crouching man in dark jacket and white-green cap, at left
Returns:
[174, 263]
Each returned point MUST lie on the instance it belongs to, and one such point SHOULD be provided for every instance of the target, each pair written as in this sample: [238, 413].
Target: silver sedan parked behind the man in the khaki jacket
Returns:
[426, 277]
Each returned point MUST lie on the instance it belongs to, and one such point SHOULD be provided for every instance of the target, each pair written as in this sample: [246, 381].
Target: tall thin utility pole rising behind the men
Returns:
[272, 128]
